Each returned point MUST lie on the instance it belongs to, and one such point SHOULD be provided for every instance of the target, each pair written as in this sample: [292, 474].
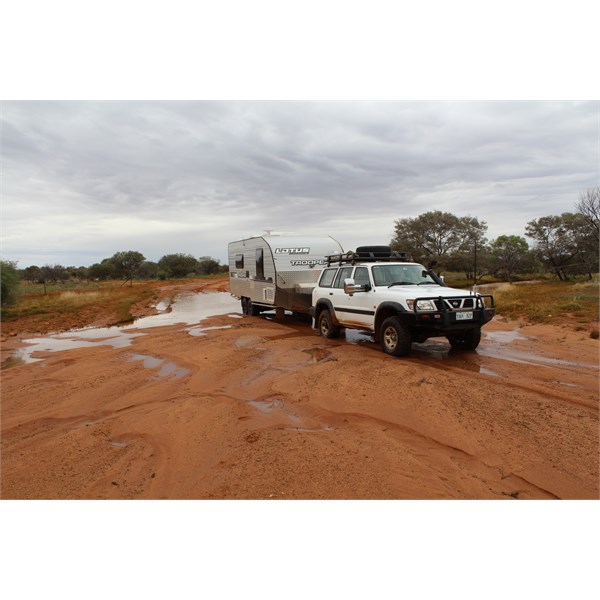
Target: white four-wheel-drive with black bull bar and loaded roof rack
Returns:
[400, 302]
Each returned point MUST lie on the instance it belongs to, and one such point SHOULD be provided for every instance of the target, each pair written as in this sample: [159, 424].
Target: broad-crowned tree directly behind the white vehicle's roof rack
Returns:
[434, 236]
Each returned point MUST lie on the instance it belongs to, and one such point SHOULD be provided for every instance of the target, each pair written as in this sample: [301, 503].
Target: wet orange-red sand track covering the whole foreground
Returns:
[239, 407]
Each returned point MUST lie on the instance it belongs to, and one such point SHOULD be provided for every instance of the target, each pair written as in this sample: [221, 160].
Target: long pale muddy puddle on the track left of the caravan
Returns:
[186, 309]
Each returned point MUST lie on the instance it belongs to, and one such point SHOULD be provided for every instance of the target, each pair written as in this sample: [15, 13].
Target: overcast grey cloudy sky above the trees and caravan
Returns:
[83, 180]
